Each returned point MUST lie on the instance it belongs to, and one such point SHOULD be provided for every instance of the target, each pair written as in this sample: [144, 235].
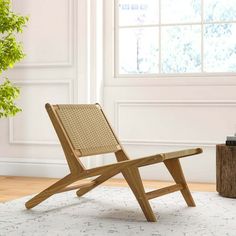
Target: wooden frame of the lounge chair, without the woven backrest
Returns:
[124, 165]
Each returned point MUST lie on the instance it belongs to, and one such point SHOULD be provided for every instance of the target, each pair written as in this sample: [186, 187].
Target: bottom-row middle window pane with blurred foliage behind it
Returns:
[181, 49]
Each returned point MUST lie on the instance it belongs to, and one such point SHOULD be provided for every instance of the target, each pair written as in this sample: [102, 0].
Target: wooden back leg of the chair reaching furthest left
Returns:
[62, 183]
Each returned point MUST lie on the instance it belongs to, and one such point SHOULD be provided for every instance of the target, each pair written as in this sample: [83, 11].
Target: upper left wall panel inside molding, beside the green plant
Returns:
[47, 38]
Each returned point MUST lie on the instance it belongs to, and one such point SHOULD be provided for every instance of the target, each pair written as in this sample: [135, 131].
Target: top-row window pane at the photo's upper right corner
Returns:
[219, 10]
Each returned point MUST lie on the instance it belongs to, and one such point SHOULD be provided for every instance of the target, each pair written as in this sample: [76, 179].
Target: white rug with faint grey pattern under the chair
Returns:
[114, 211]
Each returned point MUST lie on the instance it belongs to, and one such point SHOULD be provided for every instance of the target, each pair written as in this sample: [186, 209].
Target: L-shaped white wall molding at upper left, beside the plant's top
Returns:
[71, 19]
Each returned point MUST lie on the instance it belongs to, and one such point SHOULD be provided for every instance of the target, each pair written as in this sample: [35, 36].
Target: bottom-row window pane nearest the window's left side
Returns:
[138, 51]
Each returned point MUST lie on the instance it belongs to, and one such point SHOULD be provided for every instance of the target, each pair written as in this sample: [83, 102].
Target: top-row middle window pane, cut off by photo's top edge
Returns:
[173, 11]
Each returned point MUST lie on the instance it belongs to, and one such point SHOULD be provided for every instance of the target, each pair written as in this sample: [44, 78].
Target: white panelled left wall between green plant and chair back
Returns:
[54, 71]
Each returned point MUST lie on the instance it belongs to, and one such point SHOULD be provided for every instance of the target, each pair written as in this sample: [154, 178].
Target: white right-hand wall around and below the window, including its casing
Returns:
[165, 114]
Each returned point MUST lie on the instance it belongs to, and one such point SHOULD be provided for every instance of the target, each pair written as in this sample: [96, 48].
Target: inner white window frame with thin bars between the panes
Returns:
[115, 34]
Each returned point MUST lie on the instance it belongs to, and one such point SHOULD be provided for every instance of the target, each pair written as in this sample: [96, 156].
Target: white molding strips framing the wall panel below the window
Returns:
[182, 103]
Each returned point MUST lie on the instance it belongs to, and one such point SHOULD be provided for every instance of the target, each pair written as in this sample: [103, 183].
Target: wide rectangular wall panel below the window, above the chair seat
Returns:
[193, 122]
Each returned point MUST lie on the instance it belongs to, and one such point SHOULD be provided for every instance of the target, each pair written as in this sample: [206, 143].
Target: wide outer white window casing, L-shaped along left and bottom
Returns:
[111, 80]
